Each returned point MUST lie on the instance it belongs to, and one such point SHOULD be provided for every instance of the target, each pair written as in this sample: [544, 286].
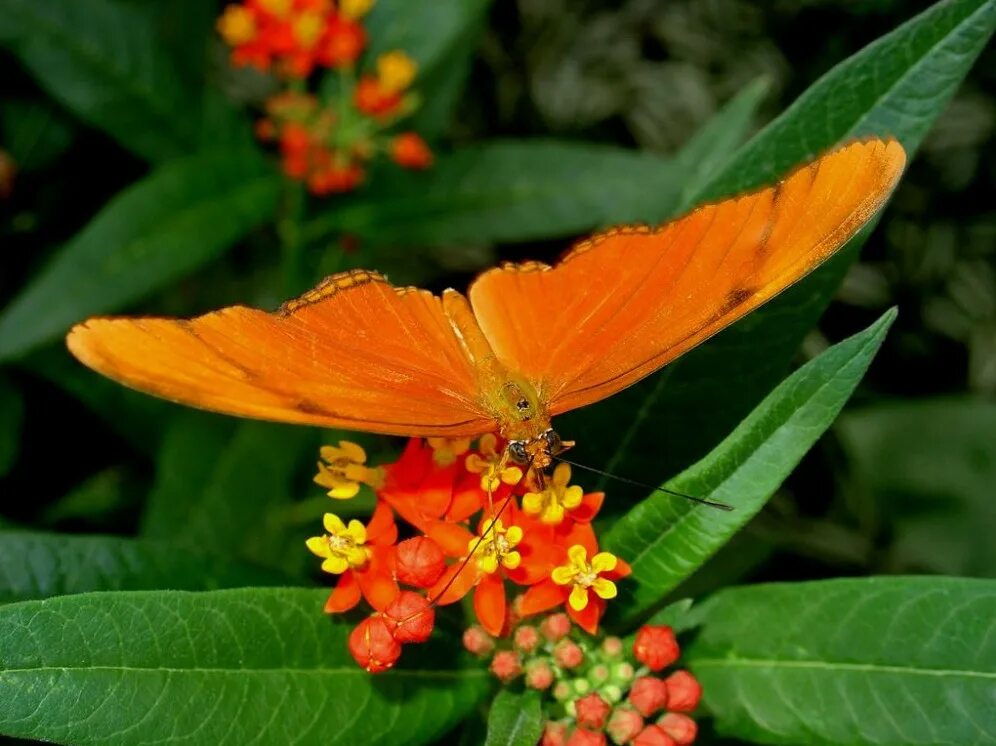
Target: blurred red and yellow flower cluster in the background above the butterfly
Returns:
[326, 142]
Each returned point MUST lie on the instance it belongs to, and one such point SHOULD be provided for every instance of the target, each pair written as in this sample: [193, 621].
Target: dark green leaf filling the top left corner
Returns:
[101, 60]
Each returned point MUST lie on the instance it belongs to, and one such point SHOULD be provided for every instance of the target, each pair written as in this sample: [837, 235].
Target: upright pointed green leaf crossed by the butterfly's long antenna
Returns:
[666, 539]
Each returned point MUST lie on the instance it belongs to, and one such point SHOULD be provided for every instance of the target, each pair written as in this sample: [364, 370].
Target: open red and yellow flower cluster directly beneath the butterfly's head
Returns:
[477, 525]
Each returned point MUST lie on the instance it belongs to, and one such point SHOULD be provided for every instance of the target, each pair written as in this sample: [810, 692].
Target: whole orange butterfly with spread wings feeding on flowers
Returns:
[527, 342]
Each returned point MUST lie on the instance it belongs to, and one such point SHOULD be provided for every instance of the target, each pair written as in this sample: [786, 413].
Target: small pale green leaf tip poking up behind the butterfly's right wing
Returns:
[712, 146]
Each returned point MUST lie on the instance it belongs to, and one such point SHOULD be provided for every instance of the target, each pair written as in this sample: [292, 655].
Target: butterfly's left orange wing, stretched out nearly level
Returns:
[354, 352]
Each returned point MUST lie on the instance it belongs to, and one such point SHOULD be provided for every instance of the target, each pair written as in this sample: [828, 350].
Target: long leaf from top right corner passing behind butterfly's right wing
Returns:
[896, 86]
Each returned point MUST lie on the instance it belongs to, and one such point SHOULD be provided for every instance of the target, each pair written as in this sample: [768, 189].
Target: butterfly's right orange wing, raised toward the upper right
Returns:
[621, 305]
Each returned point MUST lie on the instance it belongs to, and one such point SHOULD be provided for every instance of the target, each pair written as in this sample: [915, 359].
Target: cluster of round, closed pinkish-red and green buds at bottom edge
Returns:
[597, 692]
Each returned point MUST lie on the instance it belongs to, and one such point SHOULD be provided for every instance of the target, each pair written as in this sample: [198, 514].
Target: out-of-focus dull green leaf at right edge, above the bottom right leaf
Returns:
[930, 466]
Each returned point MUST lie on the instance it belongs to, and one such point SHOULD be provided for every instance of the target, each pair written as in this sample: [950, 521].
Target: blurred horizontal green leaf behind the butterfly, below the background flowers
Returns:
[507, 191]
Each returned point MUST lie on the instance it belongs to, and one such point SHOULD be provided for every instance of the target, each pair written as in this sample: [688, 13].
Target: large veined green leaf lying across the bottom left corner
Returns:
[224, 667]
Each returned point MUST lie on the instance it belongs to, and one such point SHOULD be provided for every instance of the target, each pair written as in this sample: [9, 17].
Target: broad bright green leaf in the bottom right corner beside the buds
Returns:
[887, 660]
